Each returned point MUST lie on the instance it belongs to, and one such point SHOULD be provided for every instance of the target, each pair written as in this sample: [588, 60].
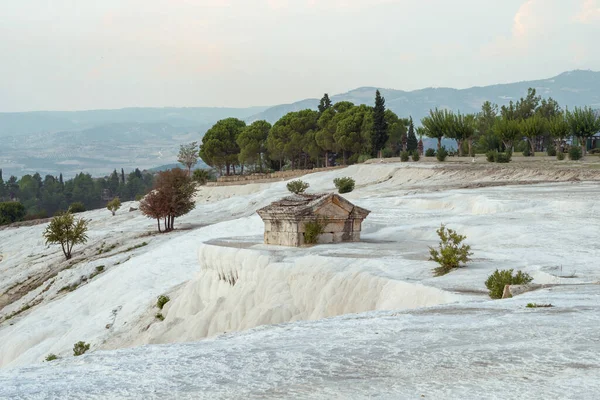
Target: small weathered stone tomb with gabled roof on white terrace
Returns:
[285, 220]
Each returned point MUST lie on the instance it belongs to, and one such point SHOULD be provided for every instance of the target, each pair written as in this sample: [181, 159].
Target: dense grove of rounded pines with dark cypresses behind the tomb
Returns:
[339, 133]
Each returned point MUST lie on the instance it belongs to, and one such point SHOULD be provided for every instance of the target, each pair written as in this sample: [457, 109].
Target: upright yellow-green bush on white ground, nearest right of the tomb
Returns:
[451, 253]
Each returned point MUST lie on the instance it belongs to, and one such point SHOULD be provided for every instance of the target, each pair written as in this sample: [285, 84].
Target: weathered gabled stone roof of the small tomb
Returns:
[301, 205]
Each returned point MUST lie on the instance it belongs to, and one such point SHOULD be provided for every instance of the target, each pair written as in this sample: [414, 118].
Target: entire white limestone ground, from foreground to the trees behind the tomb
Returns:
[470, 348]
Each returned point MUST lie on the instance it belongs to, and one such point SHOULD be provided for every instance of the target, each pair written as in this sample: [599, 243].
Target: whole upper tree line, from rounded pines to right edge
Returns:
[344, 133]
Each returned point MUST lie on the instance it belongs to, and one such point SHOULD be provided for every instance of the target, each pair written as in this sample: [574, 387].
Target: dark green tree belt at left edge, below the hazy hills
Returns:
[32, 197]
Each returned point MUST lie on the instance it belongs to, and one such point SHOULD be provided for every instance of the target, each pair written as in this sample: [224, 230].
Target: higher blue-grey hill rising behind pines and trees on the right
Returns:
[575, 88]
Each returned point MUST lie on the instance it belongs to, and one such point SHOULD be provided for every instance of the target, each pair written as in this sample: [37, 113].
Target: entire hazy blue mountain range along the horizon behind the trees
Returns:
[98, 141]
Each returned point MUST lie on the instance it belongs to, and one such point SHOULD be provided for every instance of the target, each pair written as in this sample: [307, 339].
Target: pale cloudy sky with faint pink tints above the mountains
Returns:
[89, 54]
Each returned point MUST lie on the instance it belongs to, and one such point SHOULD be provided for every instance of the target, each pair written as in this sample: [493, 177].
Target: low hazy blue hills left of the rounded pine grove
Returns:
[97, 141]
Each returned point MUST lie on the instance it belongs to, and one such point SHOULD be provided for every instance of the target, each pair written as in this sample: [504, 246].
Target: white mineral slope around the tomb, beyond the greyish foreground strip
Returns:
[540, 229]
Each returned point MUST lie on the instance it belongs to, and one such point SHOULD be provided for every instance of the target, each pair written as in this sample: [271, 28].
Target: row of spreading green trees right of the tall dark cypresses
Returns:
[532, 123]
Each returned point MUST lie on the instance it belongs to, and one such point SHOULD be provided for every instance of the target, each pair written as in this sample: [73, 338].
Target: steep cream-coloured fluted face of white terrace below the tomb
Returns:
[272, 290]
